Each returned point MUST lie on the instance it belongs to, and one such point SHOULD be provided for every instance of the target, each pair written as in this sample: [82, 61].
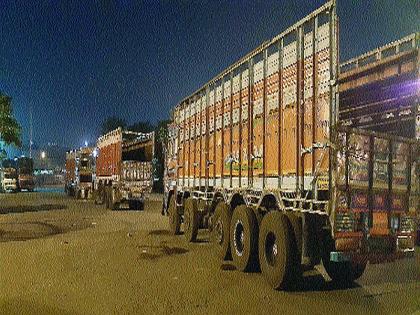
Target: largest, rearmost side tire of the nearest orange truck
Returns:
[276, 252]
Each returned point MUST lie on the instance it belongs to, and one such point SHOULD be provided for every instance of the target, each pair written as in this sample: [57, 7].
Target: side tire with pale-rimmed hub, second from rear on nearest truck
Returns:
[244, 238]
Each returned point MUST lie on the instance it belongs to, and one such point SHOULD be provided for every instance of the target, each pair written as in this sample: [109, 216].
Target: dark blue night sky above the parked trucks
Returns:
[77, 62]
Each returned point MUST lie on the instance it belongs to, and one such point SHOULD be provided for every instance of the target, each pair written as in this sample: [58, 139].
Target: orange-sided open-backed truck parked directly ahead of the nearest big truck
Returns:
[124, 168]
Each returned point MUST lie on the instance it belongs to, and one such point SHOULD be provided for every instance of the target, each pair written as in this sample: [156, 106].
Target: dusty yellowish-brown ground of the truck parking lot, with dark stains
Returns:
[61, 256]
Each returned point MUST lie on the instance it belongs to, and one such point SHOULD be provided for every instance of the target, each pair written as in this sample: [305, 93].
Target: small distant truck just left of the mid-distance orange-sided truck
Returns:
[80, 172]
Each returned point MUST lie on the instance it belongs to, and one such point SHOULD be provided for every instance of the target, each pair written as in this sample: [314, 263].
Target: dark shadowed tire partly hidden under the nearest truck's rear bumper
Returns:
[344, 272]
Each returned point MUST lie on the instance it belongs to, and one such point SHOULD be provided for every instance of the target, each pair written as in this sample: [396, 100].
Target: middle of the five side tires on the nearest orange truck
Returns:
[220, 233]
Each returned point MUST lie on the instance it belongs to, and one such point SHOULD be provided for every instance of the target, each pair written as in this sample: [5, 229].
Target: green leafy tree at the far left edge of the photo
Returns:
[10, 130]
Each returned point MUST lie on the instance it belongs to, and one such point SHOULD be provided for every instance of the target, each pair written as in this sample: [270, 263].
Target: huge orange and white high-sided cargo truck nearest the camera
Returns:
[260, 156]
